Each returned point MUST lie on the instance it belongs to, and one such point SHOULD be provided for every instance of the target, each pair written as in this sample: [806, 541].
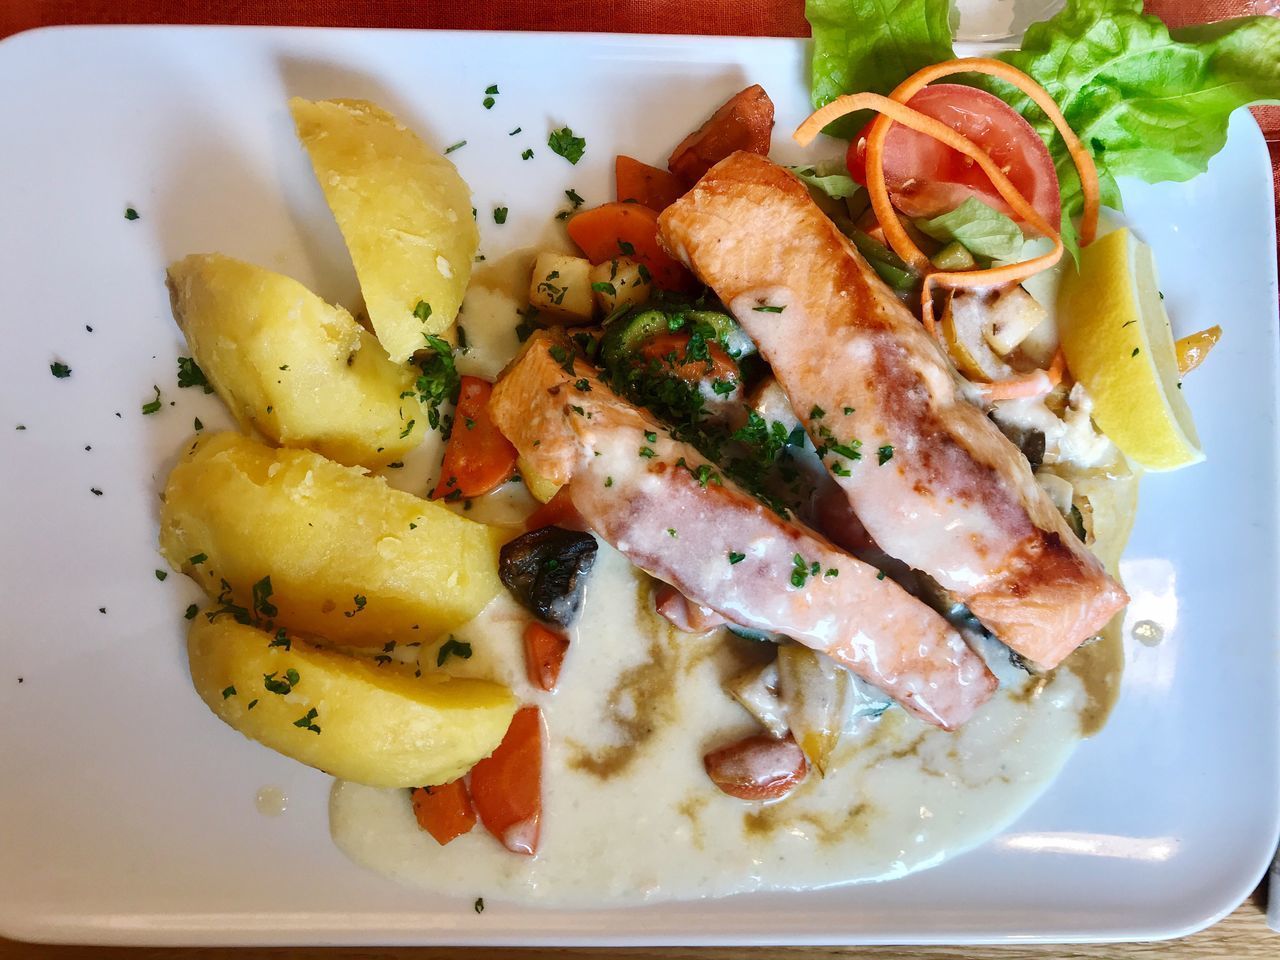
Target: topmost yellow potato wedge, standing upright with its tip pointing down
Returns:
[404, 212]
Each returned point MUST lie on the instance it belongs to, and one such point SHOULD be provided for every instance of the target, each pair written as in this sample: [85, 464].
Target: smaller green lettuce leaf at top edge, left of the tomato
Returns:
[872, 45]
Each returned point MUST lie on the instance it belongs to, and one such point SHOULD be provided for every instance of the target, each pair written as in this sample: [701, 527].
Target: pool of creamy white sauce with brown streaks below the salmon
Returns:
[899, 796]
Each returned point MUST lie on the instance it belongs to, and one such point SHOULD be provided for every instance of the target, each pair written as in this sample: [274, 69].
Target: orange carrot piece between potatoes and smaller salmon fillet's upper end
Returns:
[478, 458]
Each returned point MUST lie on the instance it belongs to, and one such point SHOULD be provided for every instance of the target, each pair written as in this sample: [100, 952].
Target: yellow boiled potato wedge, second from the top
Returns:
[301, 372]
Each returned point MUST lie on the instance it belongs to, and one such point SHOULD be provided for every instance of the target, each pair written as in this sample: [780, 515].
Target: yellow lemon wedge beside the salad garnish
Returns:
[1119, 345]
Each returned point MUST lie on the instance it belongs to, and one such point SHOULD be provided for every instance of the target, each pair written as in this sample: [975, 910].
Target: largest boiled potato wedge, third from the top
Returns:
[348, 556]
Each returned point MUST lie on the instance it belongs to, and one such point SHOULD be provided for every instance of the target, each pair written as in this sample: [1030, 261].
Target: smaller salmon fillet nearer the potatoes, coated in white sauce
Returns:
[668, 509]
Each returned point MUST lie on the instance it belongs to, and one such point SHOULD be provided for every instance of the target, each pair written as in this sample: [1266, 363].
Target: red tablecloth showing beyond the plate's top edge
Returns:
[781, 19]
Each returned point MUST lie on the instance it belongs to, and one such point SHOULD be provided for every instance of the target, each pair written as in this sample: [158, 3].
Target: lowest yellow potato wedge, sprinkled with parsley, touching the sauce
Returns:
[351, 717]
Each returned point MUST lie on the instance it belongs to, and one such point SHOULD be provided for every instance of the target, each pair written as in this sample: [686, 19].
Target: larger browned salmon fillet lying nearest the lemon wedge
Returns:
[934, 481]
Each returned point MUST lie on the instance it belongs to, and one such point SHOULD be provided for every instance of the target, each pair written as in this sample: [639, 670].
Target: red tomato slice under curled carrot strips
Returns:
[927, 179]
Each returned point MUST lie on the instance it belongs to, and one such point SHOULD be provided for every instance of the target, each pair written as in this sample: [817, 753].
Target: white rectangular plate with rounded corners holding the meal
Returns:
[127, 811]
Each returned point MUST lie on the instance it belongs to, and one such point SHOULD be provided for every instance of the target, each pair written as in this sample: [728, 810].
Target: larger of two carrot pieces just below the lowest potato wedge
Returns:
[508, 787]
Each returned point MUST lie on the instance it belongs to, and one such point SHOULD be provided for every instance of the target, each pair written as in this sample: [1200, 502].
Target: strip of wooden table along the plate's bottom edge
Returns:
[1242, 936]
